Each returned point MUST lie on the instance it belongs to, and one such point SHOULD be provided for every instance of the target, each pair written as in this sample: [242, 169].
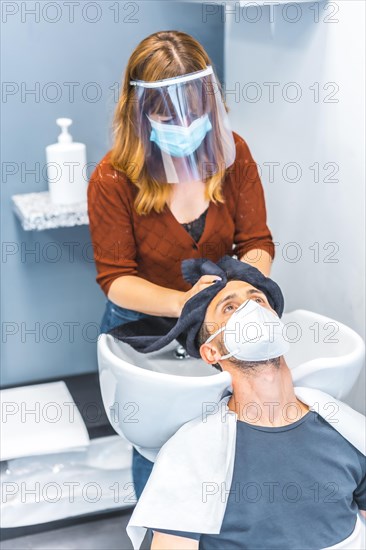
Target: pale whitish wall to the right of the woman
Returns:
[308, 214]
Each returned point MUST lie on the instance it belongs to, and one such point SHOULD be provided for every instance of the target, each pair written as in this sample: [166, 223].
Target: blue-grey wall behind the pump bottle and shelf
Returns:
[51, 305]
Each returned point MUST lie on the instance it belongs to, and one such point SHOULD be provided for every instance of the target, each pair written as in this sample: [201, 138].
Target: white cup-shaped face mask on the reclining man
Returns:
[253, 333]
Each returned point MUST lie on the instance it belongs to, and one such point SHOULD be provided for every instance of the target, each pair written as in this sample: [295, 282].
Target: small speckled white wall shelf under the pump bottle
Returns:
[36, 212]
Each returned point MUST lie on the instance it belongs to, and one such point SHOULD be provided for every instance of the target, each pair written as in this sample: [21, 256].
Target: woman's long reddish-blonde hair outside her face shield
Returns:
[164, 54]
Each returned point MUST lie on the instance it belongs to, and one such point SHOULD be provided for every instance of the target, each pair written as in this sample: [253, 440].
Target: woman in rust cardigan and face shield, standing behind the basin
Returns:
[177, 184]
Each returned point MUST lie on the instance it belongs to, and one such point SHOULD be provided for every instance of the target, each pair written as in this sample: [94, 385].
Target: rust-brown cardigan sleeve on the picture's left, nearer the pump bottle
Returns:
[110, 228]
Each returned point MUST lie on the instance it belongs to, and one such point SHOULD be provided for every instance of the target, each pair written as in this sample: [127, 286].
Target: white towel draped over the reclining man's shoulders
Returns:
[183, 490]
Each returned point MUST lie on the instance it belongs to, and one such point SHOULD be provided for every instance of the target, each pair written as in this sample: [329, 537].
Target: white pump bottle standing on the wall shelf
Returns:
[66, 168]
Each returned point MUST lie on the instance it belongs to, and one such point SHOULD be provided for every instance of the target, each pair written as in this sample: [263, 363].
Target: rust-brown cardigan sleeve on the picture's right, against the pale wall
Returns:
[251, 230]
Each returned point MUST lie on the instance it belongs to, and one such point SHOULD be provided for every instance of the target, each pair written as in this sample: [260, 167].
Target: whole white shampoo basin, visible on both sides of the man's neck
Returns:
[147, 397]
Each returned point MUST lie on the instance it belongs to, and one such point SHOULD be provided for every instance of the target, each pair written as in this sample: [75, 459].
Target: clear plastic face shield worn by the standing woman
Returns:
[183, 126]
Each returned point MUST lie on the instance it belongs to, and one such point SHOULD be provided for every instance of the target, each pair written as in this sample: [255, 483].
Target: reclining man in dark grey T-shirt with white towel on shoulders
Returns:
[276, 467]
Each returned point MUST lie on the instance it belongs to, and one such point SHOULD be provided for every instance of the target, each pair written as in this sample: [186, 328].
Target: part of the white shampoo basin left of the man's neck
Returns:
[147, 397]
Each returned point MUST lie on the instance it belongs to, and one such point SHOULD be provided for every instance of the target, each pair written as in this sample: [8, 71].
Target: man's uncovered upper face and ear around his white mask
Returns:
[222, 307]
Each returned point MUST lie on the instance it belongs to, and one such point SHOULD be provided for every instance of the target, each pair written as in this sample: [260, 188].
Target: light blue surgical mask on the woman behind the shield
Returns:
[180, 141]
